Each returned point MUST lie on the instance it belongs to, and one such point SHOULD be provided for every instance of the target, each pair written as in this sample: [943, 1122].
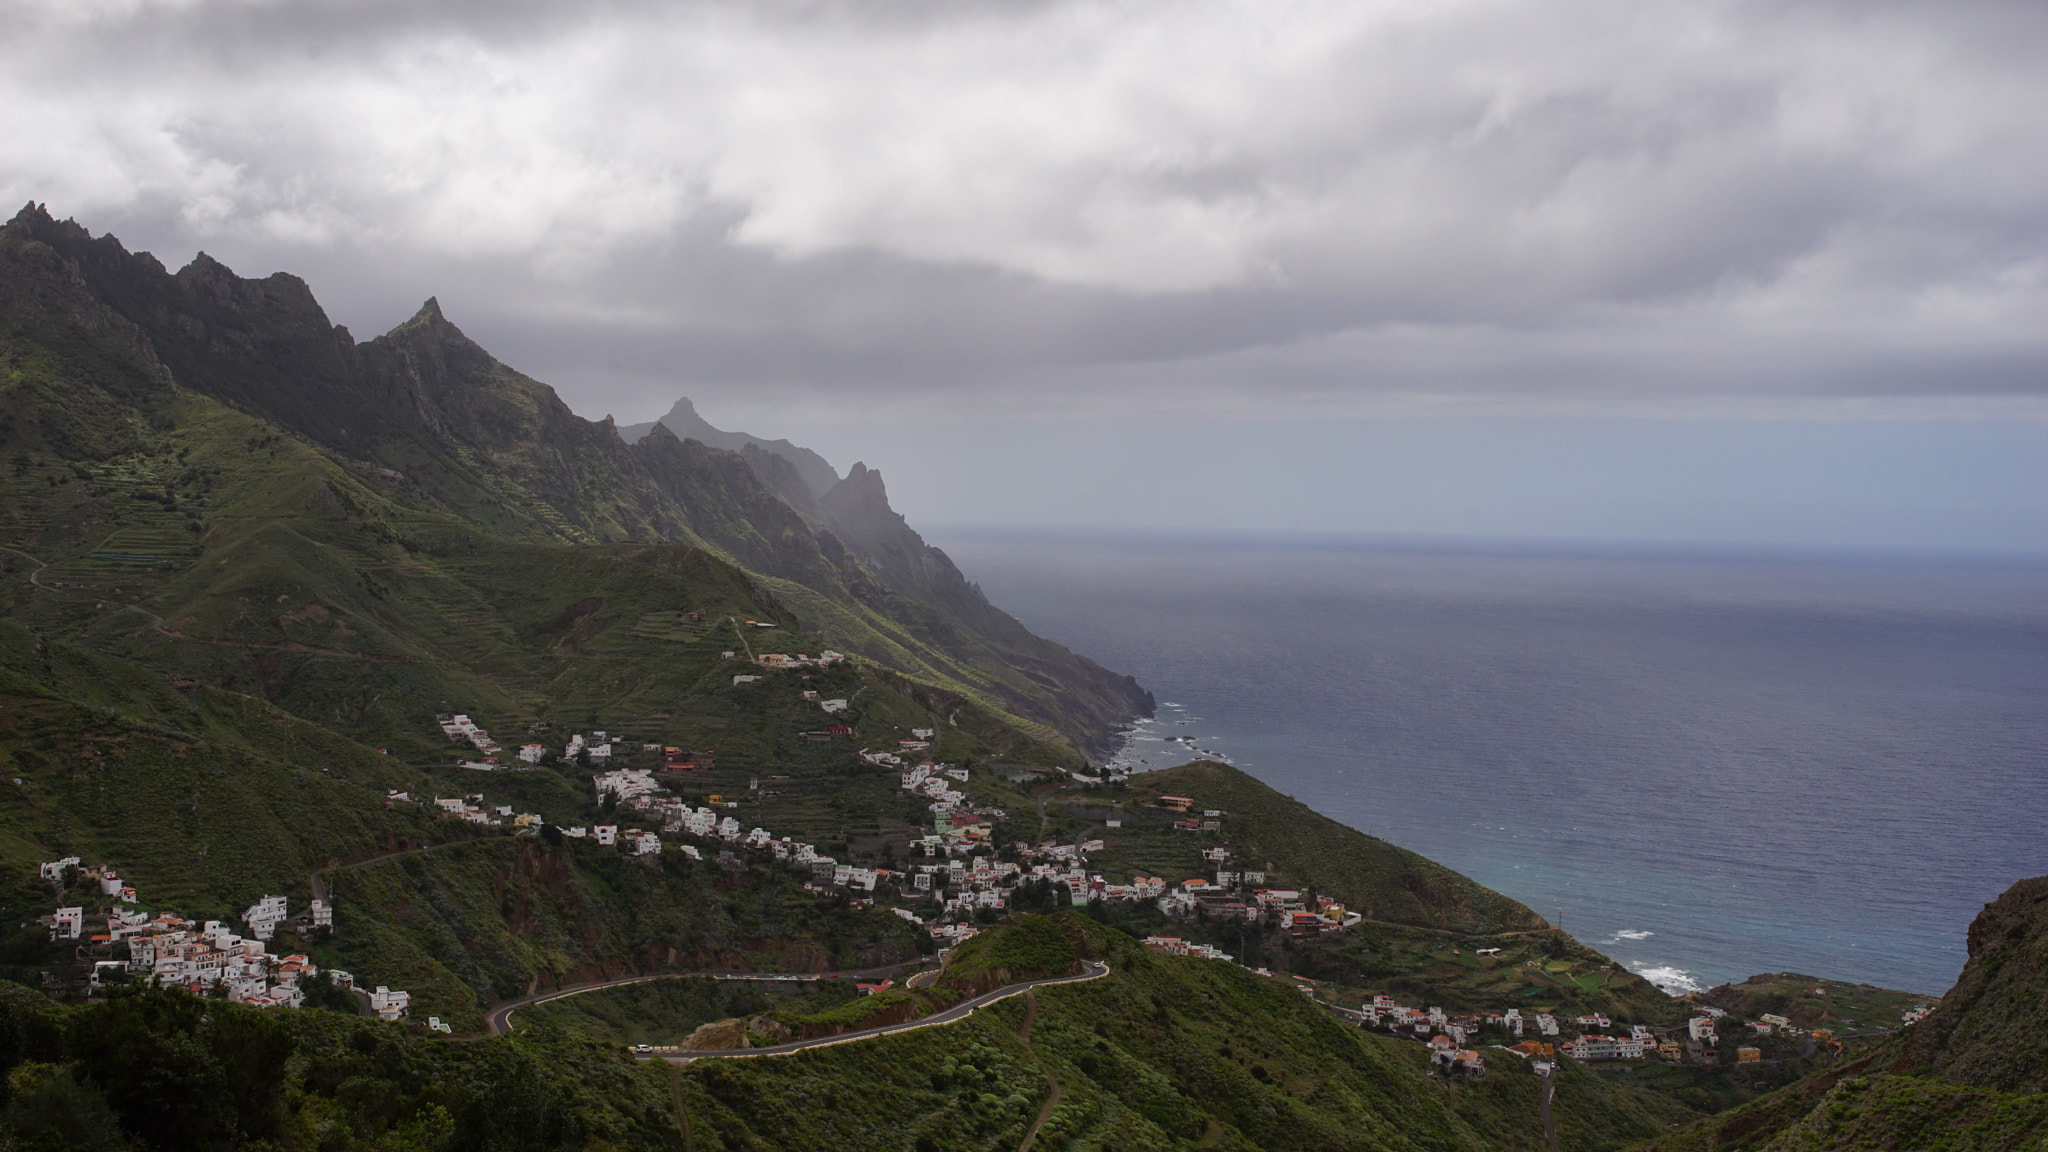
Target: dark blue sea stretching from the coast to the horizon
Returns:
[1709, 766]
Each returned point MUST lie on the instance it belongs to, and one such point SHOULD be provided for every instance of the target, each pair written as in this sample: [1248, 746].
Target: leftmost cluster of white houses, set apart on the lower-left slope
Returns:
[183, 954]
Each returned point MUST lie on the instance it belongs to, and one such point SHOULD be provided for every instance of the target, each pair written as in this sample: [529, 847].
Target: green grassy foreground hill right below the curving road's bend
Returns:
[1168, 1053]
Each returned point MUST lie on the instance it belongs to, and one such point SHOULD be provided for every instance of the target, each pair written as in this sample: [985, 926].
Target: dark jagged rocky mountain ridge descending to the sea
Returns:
[484, 442]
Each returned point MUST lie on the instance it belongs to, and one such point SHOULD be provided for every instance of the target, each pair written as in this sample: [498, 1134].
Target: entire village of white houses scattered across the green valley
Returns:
[955, 884]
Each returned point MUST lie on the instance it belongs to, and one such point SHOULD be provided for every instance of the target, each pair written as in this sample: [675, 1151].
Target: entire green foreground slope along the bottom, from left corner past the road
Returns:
[1166, 1053]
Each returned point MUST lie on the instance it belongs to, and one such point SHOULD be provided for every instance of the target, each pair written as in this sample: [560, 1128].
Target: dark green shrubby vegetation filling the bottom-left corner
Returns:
[173, 1071]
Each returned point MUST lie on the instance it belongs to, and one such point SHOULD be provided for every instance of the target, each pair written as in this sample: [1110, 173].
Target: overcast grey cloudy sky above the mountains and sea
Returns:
[1054, 222]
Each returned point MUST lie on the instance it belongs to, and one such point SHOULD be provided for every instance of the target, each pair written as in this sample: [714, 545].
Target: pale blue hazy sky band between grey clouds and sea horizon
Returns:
[1887, 487]
